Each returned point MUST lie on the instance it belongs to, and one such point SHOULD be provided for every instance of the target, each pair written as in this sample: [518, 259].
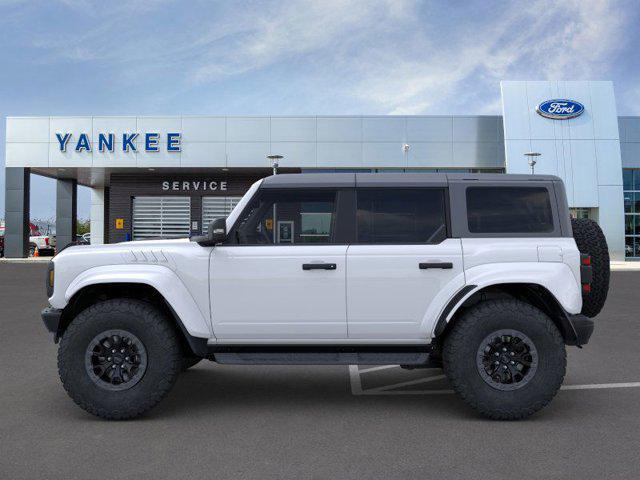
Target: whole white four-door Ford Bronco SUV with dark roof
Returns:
[482, 274]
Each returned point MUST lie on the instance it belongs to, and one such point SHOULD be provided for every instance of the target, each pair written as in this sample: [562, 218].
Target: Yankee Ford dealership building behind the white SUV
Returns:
[168, 176]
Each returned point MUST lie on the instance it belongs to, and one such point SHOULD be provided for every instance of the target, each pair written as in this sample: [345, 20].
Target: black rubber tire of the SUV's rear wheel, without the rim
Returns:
[461, 348]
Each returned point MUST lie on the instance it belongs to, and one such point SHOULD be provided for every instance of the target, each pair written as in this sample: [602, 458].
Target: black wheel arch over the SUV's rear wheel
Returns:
[533, 293]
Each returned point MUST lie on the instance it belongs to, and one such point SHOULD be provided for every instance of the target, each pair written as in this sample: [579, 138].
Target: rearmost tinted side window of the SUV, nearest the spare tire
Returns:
[509, 210]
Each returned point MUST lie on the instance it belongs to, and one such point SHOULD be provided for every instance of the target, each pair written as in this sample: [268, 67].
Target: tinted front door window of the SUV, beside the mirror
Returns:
[287, 217]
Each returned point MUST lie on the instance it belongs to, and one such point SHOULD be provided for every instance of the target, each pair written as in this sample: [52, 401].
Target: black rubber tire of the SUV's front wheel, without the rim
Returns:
[164, 358]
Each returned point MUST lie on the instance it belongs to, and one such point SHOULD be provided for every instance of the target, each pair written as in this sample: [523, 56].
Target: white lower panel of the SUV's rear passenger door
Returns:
[388, 294]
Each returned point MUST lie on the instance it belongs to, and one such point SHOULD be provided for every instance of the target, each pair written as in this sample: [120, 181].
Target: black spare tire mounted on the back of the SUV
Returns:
[590, 240]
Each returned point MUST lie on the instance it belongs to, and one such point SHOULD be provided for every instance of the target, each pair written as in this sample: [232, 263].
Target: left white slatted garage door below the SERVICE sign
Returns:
[161, 217]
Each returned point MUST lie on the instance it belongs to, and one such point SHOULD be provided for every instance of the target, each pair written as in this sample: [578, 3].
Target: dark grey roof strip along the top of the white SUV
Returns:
[346, 180]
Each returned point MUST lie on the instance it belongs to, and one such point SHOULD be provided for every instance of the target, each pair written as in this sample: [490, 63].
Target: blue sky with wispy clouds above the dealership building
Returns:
[147, 57]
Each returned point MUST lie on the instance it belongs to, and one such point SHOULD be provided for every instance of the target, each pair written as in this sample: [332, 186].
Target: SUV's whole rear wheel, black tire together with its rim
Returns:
[505, 358]
